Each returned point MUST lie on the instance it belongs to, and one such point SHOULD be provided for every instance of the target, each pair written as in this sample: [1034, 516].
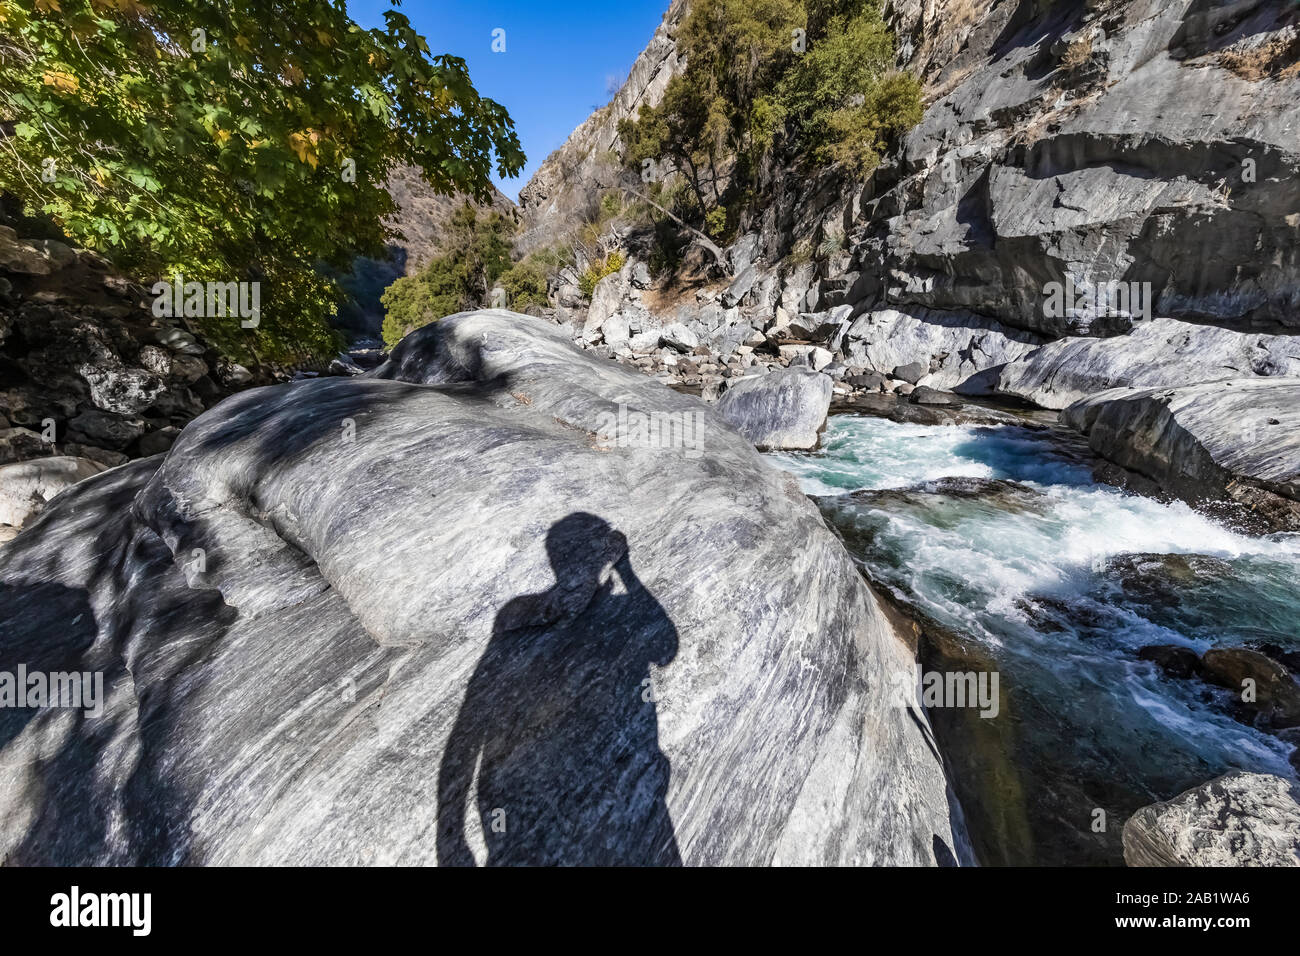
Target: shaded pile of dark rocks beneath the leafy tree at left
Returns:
[89, 378]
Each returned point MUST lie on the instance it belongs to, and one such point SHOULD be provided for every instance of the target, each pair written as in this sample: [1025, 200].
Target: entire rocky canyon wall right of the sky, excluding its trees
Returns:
[1100, 193]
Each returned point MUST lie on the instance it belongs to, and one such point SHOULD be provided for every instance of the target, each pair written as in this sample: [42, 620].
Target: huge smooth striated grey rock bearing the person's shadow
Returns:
[430, 616]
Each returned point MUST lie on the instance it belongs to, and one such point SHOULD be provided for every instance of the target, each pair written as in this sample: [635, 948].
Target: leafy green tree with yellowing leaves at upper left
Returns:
[235, 141]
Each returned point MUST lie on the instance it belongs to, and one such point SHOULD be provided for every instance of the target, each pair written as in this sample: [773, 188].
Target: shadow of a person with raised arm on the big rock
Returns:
[560, 720]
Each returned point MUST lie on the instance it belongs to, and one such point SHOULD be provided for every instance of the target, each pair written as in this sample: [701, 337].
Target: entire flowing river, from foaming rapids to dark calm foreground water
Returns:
[999, 542]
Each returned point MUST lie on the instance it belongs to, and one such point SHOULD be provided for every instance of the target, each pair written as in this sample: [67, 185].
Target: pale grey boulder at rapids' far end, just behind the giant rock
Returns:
[782, 410]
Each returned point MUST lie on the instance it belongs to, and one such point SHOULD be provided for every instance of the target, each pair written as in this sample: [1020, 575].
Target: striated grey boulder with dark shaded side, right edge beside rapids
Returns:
[1221, 442]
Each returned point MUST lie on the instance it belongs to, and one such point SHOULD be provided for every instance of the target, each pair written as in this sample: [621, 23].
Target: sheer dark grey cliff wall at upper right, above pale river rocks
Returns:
[1113, 141]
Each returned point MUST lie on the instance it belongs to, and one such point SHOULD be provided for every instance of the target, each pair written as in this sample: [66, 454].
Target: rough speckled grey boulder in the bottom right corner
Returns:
[1238, 820]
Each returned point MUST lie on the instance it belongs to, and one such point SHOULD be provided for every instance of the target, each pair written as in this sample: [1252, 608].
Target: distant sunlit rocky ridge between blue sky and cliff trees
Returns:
[564, 191]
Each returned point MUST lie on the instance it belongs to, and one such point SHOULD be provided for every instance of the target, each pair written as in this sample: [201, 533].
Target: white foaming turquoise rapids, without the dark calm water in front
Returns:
[990, 568]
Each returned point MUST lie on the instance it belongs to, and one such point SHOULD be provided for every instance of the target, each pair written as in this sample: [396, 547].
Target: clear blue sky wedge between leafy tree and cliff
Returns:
[558, 60]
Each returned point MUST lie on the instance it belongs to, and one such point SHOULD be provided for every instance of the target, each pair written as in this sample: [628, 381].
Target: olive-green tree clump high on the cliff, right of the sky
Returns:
[813, 79]
